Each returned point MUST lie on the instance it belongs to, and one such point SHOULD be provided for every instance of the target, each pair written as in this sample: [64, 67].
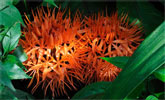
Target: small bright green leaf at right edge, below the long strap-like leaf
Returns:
[160, 74]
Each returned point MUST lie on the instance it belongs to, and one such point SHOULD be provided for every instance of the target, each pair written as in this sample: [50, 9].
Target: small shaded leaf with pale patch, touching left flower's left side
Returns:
[20, 54]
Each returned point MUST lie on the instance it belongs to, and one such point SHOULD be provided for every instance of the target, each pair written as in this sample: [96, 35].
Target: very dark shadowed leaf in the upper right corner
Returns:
[144, 11]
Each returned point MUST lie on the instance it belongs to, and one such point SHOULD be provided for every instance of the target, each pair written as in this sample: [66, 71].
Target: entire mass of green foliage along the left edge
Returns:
[11, 67]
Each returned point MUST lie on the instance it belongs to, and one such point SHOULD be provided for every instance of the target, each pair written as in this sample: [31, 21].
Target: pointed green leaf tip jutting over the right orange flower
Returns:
[117, 61]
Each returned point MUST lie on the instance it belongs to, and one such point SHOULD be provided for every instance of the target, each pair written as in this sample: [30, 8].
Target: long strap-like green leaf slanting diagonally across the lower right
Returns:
[148, 57]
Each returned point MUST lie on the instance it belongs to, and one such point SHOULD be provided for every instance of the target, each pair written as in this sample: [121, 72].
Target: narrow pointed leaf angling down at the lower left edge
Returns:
[4, 78]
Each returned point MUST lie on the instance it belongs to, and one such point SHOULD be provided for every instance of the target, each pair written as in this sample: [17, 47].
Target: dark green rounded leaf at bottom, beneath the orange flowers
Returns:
[92, 91]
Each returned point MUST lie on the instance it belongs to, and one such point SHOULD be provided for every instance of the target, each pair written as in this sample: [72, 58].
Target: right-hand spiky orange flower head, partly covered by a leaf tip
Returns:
[108, 36]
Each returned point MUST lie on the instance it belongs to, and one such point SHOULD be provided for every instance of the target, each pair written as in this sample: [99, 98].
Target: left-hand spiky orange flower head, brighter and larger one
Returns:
[52, 45]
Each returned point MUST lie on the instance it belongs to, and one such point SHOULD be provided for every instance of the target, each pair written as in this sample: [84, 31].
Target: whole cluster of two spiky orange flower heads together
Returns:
[61, 50]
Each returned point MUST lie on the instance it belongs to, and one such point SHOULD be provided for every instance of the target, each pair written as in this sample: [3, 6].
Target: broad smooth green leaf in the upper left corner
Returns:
[10, 15]
